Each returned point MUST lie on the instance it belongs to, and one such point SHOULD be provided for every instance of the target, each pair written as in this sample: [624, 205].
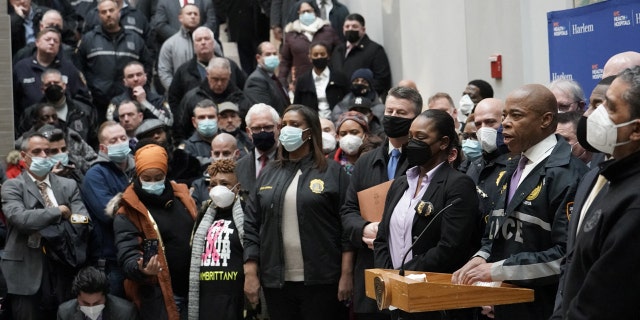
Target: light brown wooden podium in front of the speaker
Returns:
[438, 293]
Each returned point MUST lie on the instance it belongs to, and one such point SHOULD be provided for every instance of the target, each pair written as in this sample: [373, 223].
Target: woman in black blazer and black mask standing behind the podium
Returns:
[414, 199]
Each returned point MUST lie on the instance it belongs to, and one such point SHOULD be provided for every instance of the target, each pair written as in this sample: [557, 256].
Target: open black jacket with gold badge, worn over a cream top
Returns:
[319, 197]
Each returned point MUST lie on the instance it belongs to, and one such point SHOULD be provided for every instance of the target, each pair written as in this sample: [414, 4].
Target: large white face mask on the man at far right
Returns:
[602, 133]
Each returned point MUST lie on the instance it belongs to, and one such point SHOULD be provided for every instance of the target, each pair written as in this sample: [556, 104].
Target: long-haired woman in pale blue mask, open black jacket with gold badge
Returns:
[293, 245]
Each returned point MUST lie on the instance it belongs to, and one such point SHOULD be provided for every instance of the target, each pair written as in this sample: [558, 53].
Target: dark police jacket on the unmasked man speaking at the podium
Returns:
[525, 239]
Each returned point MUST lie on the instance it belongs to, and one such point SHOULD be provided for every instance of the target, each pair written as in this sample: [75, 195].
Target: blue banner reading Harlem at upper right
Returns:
[581, 40]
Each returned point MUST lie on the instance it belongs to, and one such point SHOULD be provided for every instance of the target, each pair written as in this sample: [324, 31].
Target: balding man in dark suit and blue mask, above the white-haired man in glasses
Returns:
[262, 86]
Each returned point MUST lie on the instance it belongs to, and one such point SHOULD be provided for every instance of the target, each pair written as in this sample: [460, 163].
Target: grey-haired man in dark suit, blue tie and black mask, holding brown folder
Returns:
[373, 168]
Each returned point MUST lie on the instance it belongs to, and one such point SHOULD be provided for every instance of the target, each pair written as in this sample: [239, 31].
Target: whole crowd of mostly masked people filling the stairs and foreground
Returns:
[153, 178]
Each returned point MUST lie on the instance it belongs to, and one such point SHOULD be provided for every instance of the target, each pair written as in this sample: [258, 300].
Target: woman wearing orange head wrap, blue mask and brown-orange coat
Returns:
[154, 208]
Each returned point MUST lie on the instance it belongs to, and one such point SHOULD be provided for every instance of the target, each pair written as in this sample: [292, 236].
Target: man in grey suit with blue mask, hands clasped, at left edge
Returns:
[39, 207]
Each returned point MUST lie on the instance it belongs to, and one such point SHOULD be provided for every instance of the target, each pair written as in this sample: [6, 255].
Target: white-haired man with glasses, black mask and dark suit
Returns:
[263, 124]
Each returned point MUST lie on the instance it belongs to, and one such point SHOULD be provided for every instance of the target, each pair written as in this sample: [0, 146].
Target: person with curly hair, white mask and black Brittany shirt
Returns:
[216, 276]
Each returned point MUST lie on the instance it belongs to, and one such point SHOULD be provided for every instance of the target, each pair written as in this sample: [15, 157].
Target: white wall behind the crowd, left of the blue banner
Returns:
[443, 44]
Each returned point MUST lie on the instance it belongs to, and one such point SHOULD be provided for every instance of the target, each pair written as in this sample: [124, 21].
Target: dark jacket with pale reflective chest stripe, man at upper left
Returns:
[102, 60]
